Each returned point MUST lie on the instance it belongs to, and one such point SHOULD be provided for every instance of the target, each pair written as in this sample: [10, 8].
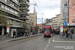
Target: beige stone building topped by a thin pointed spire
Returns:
[32, 19]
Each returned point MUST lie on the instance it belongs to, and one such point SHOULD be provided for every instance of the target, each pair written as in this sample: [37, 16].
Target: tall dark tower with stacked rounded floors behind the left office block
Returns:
[24, 5]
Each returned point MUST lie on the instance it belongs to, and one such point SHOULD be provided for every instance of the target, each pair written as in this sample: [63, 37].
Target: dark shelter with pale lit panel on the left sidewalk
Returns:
[18, 31]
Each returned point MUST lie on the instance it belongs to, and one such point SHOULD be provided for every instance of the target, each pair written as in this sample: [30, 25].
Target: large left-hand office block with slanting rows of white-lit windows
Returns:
[10, 7]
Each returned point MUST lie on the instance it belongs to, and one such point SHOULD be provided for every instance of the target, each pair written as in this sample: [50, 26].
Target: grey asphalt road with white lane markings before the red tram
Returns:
[39, 43]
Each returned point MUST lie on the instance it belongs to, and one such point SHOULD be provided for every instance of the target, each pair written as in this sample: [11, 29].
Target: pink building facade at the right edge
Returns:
[71, 24]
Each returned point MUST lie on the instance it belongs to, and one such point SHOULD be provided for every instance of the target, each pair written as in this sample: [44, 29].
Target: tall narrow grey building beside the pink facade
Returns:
[64, 11]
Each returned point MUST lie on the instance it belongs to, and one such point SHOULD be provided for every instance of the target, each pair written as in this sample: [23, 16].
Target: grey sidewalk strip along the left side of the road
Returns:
[18, 38]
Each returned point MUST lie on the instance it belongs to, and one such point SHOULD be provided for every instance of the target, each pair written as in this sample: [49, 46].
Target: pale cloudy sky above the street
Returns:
[49, 8]
